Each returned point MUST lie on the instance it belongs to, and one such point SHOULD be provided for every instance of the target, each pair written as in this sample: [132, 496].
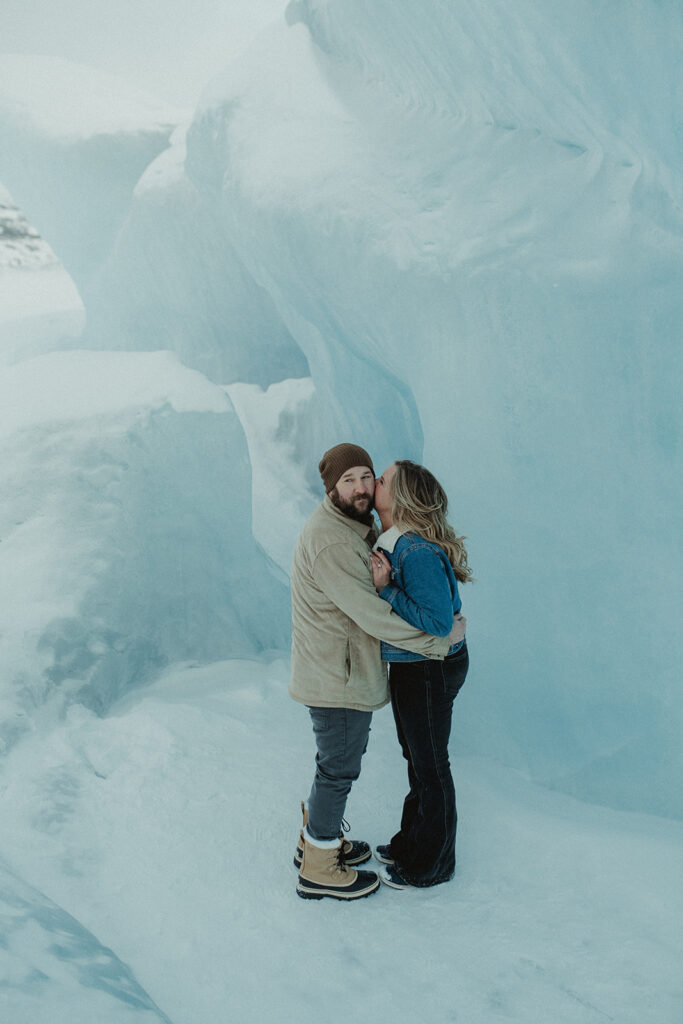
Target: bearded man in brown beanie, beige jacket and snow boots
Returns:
[338, 621]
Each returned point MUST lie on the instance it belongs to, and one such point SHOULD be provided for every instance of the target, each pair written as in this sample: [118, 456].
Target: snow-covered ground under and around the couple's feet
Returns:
[167, 831]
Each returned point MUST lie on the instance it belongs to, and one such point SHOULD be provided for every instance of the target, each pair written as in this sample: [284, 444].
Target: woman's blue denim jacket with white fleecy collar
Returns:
[423, 589]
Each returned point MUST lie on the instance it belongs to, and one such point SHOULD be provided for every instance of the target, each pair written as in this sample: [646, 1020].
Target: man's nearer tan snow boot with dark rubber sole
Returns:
[324, 873]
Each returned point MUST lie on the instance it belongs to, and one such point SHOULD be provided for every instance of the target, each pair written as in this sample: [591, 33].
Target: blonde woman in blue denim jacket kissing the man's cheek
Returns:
[417, 564]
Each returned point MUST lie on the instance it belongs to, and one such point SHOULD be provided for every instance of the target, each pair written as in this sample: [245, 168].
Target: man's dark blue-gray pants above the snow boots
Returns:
[341, 736]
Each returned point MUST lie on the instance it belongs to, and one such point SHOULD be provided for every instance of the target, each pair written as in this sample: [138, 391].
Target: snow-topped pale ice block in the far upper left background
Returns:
[74, 144]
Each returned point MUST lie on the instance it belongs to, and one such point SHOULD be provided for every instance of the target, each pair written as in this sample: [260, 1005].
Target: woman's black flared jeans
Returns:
[422, 696]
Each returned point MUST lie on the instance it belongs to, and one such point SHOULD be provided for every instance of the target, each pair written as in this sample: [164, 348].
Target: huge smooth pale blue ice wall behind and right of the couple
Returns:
[471, 222]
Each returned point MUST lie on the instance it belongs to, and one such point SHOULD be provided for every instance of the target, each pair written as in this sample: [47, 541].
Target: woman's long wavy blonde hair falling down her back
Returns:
[419, 504]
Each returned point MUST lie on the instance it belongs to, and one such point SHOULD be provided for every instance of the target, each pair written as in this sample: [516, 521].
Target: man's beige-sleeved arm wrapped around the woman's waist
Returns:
[346, 578]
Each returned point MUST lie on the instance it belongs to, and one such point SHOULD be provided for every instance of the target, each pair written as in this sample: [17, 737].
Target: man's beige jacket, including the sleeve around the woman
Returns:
[338, 619]
